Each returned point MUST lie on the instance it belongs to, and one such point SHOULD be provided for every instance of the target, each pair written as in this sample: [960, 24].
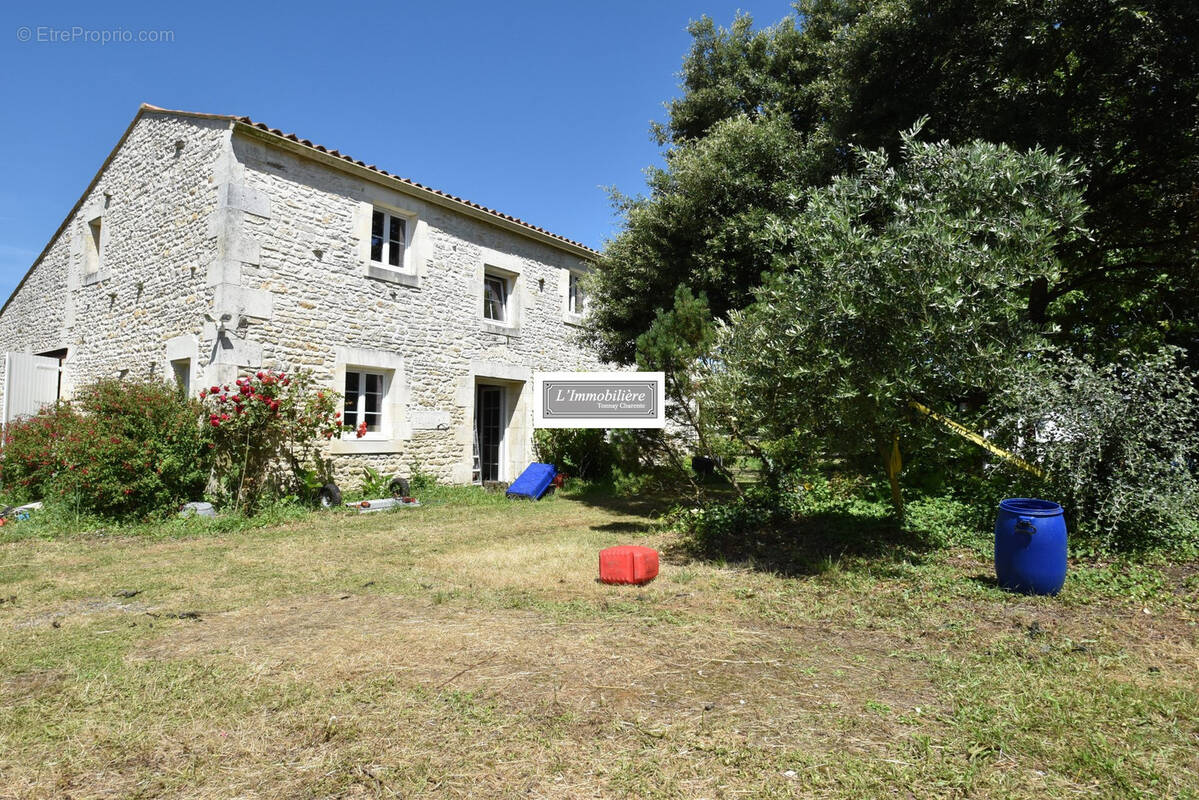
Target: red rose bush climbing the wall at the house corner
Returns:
[264, 428]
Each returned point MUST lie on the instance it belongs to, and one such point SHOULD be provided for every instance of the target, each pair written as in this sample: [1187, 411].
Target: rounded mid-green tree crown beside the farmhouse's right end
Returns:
[716, 204]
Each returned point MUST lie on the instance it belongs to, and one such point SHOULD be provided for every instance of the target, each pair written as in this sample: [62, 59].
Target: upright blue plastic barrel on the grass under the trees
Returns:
[1031, 546]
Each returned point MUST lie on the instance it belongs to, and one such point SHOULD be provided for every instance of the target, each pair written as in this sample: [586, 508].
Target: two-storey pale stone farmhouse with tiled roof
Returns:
[209, 245]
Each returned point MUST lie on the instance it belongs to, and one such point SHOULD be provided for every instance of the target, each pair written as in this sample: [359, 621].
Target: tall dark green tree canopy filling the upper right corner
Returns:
[768, 113]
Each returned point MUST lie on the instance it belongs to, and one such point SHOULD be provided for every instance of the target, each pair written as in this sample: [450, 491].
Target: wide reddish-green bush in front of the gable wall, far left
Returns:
[120, 449]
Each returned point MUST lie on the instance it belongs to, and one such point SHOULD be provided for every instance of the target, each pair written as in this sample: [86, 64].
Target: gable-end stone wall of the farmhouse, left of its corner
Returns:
[154, 201]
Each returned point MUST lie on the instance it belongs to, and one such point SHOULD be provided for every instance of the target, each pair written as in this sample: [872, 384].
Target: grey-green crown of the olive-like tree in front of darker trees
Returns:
[903, 282]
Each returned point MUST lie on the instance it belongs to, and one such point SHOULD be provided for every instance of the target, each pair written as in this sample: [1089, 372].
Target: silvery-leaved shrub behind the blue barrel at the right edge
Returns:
[1120, 444]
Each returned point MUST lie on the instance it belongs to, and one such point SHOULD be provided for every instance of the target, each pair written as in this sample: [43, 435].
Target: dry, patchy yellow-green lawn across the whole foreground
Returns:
[466, 649]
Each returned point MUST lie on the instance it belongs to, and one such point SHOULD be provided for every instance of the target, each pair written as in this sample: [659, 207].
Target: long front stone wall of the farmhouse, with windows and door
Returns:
[329, 309]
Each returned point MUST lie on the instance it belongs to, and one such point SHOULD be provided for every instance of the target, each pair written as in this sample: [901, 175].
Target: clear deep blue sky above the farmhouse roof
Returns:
[531, 109]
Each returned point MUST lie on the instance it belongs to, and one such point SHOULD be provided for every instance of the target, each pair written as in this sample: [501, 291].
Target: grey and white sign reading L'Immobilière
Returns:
[600, 400]
